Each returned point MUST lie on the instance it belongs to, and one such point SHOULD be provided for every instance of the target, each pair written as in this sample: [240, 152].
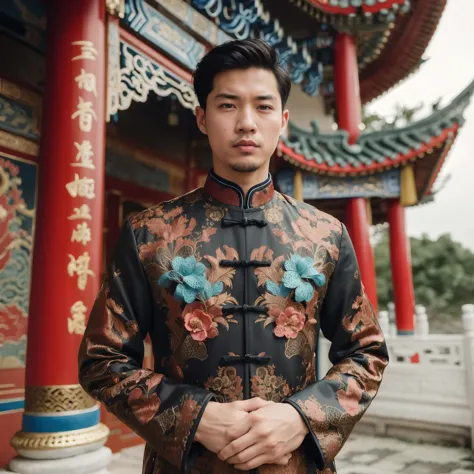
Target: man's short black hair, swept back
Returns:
[239, 54]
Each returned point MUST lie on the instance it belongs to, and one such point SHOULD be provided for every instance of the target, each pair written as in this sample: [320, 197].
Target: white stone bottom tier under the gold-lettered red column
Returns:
[94, 462]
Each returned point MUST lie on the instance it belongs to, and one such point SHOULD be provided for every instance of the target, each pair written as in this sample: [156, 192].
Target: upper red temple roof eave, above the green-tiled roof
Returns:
[392, 36]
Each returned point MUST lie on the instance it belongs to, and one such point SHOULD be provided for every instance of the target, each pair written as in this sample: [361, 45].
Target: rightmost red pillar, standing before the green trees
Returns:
[400, 258]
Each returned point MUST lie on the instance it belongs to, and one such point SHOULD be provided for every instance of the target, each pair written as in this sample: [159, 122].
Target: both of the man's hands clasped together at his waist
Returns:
[251, 433]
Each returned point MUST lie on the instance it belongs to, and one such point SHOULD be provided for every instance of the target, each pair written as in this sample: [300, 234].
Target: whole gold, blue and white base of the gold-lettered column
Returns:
[61, 433]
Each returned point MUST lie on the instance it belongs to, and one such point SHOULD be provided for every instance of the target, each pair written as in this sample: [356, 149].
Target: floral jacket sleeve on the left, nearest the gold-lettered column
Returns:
[164, 412]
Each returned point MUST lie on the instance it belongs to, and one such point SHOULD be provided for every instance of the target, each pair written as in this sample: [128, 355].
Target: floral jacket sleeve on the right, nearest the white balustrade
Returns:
[331, 406]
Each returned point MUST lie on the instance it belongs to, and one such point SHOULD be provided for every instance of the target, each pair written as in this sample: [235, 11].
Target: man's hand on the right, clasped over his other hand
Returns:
[271, 432]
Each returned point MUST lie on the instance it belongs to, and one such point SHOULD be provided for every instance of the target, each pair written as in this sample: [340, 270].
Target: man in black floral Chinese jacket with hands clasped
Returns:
[233, 282]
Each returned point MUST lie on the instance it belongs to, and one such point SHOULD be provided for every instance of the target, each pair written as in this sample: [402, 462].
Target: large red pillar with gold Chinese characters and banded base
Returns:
[68, 239]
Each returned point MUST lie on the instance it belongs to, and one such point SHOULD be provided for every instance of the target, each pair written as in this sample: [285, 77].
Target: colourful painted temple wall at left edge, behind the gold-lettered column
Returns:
[19, 136]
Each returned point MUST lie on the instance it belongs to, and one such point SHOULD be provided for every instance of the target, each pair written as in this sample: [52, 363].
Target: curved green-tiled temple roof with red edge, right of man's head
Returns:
[375, 151]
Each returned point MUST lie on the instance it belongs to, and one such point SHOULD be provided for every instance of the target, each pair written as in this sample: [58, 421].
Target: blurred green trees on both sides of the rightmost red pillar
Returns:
[443, 277]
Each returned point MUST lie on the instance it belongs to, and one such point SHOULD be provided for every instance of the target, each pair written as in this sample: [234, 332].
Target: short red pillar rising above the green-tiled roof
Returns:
[346, 83]
